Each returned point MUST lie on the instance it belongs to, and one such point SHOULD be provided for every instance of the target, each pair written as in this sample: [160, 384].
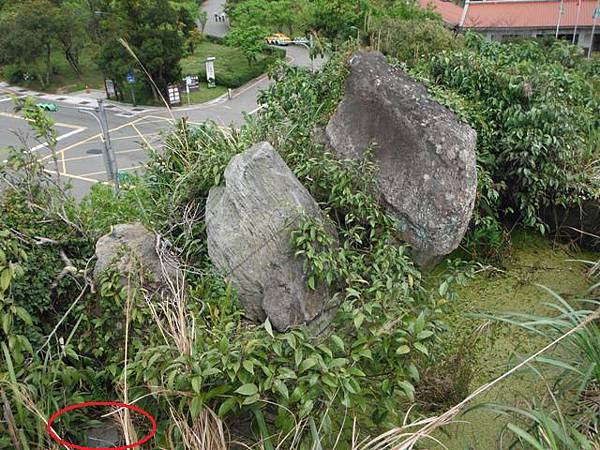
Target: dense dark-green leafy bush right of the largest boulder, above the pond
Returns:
[536, 111]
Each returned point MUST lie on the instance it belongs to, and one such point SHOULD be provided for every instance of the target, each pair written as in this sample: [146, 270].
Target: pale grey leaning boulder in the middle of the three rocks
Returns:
[249, 223]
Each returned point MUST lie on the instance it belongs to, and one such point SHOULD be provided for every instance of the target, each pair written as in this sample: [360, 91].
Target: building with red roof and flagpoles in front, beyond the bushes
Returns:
[501, 19]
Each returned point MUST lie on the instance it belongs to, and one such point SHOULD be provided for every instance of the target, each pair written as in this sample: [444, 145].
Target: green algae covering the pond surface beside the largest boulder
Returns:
[496, 347]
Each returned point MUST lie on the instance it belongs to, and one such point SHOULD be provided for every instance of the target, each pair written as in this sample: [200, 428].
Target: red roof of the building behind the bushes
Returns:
[516, 13]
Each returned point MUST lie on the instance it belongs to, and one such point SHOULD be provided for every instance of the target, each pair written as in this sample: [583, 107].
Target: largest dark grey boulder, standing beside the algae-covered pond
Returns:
[427, 170]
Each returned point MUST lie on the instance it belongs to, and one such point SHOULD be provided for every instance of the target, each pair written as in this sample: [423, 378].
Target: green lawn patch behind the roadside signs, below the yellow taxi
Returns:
[231, 66]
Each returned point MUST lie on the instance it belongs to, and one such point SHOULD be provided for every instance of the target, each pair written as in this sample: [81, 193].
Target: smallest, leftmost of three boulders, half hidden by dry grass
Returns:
[127, 239]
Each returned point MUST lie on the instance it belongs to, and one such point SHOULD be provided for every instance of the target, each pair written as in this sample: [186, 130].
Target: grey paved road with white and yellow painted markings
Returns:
[79, 149]
